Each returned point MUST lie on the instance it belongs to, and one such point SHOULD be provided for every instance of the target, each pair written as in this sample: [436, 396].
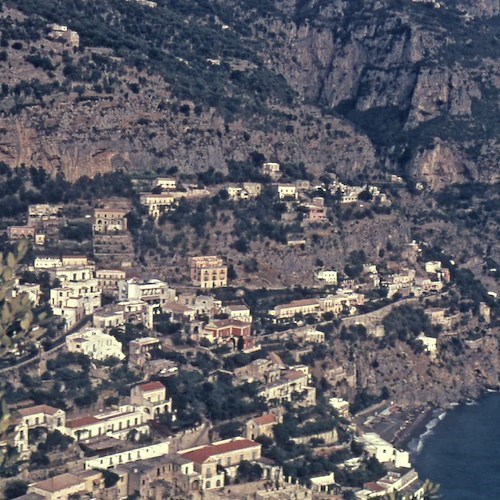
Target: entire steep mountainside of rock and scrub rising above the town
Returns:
[365, 86]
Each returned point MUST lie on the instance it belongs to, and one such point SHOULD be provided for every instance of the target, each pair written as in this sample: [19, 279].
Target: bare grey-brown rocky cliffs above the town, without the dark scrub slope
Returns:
[350, 60]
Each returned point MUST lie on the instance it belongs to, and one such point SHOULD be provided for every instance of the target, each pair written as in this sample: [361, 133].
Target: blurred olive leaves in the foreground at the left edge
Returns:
[18, 321]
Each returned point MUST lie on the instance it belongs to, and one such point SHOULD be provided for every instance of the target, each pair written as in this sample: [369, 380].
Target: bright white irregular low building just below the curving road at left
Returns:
[95, 344]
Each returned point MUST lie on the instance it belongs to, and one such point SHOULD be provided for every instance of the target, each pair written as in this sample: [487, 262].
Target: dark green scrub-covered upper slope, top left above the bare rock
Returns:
[173, 41]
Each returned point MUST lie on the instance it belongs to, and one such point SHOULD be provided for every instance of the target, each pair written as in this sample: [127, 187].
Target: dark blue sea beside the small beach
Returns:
[461, 451]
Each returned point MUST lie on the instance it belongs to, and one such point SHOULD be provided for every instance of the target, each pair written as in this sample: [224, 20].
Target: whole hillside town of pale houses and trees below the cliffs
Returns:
[200, 388]
